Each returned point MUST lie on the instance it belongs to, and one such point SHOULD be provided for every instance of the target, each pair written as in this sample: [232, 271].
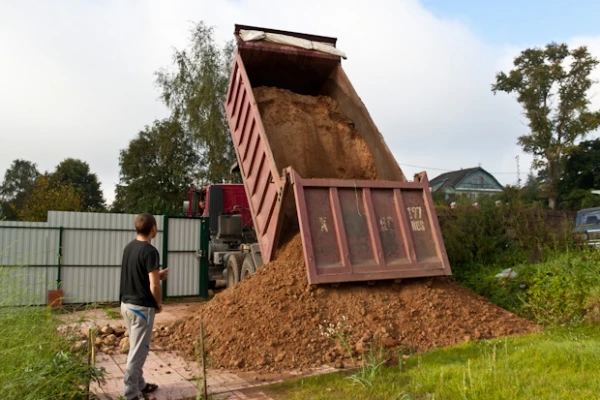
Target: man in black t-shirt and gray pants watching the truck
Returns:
[141, 299]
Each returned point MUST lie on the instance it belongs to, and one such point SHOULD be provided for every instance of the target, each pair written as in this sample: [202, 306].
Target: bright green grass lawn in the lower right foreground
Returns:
[560, 363]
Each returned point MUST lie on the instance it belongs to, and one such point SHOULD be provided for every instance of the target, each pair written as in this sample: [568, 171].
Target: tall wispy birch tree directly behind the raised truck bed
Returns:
[195, 92]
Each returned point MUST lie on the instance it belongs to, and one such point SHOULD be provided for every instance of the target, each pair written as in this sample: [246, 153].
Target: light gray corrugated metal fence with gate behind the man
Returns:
[80, 253]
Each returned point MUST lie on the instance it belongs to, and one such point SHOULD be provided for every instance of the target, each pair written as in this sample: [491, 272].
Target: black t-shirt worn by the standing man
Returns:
[139, 259]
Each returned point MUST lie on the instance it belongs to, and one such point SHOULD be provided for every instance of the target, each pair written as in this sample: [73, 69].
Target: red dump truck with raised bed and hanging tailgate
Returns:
[351, 229]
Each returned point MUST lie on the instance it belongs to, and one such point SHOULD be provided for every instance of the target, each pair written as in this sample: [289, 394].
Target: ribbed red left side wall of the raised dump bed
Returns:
[261, 179]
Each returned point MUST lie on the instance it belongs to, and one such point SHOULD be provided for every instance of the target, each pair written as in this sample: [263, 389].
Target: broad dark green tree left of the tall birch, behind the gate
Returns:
[157, 169]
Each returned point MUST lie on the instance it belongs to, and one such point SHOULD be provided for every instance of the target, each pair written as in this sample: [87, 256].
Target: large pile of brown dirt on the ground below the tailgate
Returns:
[275, 320]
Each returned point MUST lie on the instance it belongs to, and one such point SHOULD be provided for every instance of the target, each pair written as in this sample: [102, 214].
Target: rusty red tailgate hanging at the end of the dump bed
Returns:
[368, 230]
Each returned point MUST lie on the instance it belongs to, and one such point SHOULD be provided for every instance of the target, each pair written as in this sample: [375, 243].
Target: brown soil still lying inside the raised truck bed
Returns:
[312, 135]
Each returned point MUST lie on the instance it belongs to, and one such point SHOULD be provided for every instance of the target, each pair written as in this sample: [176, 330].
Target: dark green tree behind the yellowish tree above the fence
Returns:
[76, 173]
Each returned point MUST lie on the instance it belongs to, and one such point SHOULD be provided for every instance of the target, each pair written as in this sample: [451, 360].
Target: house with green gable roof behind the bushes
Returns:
[469, 181]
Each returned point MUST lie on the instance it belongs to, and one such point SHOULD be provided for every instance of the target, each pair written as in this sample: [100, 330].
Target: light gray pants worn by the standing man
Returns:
[139, 321]
